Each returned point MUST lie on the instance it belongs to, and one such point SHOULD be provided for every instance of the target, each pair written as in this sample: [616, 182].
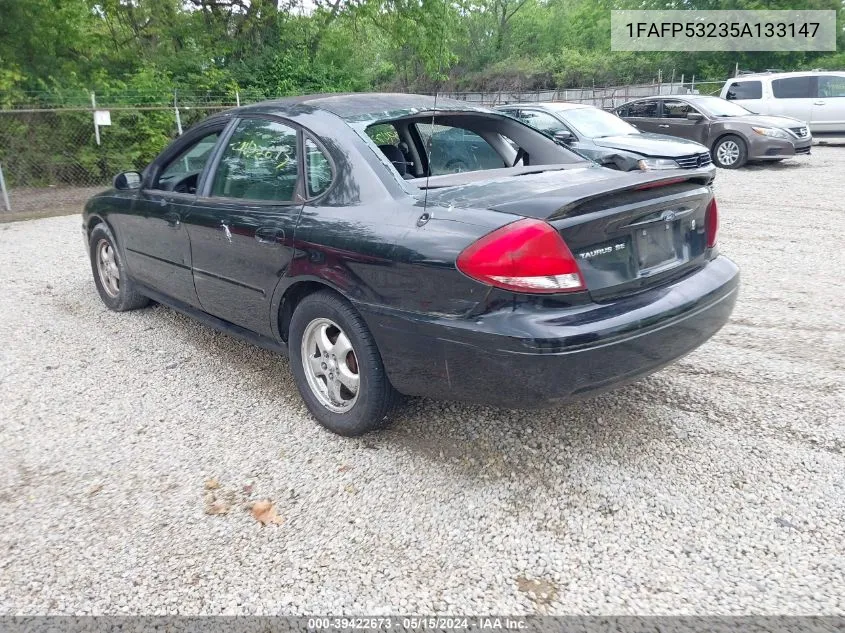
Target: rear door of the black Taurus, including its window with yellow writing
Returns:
[242, 225]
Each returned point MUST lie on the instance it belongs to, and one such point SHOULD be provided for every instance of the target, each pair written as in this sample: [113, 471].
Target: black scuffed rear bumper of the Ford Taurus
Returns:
[528, 356]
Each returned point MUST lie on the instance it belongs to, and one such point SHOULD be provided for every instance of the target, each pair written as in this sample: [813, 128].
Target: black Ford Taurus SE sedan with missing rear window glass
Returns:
[339, 230]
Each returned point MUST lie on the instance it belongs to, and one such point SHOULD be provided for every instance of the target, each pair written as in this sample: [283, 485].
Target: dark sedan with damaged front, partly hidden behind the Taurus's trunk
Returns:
[607, 139]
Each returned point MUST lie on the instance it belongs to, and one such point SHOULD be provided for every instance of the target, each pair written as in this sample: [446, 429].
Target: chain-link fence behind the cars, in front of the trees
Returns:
[52, 161]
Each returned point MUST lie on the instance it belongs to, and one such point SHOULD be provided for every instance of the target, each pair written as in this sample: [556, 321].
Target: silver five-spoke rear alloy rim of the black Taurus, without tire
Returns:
[330, 364]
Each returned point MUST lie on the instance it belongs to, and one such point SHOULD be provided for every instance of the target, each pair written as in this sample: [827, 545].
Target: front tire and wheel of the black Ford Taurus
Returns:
[111, 277]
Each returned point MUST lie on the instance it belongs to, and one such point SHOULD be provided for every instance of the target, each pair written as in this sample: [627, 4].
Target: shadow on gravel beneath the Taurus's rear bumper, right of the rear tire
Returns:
[487, 443]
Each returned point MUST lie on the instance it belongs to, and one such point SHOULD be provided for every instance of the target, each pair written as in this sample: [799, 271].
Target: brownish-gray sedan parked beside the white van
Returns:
[733, 134]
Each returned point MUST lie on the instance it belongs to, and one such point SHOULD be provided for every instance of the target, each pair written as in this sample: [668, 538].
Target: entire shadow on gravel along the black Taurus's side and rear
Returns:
[483, 442]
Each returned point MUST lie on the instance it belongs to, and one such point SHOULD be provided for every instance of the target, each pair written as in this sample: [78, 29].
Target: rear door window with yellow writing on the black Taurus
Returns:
[258, 163]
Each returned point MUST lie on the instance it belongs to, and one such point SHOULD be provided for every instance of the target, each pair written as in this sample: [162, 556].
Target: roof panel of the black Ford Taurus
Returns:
[358, 107]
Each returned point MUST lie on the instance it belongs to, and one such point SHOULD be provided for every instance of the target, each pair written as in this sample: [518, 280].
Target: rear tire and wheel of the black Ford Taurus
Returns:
[337, 366]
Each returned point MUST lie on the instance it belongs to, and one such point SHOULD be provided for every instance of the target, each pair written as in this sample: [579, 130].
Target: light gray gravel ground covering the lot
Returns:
[715, 486]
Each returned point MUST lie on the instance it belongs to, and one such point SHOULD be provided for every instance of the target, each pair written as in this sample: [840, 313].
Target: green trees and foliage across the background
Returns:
[136, 53]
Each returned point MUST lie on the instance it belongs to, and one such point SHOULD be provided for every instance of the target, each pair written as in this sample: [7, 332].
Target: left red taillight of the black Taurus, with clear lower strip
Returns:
[526, 256]
